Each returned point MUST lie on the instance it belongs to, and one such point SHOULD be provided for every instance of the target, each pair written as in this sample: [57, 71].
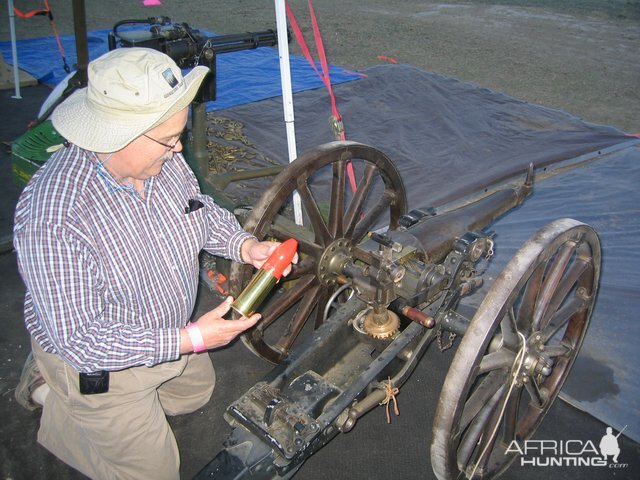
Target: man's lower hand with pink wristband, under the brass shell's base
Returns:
[216, 331]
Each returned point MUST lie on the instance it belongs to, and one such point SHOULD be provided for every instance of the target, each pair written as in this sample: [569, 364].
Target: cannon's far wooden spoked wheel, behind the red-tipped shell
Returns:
[335, 217]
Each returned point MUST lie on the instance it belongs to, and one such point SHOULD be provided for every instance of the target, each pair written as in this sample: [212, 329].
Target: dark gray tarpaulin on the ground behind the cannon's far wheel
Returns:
[447, 137]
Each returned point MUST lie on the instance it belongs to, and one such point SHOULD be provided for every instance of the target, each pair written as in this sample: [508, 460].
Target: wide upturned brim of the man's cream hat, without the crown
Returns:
[81, 124]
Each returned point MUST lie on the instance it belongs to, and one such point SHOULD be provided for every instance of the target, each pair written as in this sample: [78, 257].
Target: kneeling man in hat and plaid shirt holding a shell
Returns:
[108, 234]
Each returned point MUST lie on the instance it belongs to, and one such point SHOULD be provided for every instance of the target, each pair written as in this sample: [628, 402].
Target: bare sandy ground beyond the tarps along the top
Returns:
[580, 56]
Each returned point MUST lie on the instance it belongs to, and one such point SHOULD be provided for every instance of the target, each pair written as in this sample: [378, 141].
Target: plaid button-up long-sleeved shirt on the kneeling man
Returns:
[112, 277]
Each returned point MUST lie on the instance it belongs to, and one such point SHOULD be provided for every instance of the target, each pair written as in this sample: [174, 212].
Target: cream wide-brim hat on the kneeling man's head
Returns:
[129, 92]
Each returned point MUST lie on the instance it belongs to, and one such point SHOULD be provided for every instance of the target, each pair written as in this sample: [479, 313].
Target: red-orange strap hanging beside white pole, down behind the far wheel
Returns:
[324, 75]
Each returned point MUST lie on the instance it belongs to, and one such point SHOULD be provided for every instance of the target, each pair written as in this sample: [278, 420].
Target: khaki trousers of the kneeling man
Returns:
[121, 434]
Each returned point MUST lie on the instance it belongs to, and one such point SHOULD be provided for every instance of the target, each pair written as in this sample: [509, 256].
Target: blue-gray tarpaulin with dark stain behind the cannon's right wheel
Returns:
[604, 194]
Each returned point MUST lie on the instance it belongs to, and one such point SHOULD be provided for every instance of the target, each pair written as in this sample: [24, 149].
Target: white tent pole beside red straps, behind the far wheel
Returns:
[287, 95]
